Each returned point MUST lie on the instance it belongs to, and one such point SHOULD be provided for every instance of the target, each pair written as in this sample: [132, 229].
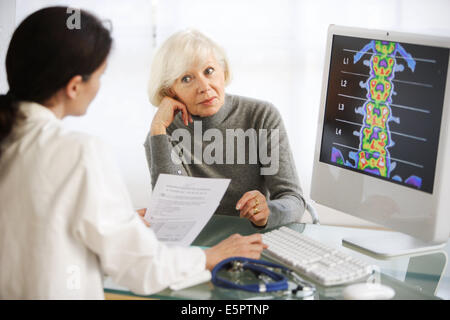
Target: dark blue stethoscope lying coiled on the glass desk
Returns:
[263, 270]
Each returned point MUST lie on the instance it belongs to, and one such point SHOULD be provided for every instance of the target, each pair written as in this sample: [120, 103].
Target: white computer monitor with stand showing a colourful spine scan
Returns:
[382, 137]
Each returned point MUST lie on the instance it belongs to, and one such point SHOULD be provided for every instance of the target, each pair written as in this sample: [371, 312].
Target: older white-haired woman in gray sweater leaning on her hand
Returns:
[197, 124]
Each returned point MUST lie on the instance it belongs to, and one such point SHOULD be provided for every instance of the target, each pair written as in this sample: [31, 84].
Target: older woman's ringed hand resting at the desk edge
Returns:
[253, 206]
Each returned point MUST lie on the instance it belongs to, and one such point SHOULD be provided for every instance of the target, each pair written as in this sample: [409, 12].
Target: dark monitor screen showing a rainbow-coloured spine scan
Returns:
[383, 109]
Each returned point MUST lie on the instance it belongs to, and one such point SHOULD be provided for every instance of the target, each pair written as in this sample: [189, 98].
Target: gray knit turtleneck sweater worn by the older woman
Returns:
[279, 183]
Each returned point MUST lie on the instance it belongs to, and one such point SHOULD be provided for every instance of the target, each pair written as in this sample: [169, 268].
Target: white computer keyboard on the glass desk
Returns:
[322, 264]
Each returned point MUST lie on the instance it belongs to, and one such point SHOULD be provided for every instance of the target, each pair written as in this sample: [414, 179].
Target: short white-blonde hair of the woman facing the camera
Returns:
[176, 55]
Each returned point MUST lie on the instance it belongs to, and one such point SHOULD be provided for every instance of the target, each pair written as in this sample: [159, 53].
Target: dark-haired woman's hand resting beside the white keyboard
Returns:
[235, 245]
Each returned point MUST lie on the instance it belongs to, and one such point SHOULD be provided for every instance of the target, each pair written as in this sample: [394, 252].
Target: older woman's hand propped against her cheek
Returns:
[167, 111]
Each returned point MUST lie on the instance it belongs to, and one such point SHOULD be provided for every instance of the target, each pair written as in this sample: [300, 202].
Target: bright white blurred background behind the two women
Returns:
[276, 50]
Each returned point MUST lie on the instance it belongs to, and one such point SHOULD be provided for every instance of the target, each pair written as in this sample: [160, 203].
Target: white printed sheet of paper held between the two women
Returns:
[181, 206]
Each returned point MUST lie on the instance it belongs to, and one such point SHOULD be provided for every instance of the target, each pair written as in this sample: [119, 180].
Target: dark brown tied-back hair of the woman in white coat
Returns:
[44, 54]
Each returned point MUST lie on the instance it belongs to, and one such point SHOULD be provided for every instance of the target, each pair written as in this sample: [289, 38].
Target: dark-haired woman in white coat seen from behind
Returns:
[66, 218]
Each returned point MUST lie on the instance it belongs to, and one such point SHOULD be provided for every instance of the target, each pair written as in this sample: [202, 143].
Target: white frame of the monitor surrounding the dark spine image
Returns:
[402, 212]
